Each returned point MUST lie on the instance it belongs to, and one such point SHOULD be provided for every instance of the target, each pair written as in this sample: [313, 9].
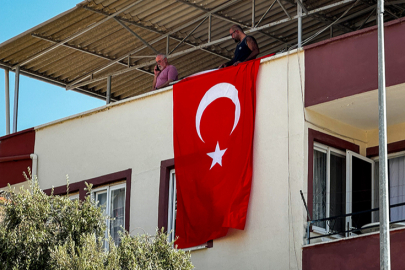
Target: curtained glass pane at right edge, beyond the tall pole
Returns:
[397, 187]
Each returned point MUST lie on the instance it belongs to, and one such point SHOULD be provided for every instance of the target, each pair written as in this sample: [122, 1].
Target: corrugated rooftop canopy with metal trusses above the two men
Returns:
[80, 48]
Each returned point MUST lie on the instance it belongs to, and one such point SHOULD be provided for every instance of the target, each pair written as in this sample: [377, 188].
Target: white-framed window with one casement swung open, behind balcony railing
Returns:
[342, 184]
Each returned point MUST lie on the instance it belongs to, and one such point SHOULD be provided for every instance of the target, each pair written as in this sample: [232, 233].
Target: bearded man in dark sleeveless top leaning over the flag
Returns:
[246, 49]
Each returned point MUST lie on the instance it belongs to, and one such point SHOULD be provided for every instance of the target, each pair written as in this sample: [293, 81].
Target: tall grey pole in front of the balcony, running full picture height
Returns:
[385, 261]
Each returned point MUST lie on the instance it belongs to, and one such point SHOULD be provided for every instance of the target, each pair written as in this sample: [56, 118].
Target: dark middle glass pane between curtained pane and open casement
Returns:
[337, 205]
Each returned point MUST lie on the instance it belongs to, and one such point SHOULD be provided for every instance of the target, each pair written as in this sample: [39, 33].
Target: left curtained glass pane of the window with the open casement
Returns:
[319, 188]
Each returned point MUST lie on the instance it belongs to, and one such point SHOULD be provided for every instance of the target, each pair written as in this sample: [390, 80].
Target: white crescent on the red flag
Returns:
[219, 90]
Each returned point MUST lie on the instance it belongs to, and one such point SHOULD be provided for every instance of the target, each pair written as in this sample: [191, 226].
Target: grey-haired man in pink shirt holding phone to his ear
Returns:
[164, 73]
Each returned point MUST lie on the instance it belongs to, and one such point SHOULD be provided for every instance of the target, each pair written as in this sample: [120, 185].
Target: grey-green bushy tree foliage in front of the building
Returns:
[38, 231]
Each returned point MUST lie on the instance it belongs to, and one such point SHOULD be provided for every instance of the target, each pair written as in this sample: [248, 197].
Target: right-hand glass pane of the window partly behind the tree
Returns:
[117, 213]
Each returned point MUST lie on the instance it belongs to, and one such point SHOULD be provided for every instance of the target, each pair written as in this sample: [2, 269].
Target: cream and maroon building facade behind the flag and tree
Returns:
[316, 132]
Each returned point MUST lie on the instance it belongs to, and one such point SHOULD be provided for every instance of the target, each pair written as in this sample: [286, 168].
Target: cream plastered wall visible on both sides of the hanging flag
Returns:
[137, 134]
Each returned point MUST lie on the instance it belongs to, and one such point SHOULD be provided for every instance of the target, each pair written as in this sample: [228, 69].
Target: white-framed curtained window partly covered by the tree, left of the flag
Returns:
[112, 200]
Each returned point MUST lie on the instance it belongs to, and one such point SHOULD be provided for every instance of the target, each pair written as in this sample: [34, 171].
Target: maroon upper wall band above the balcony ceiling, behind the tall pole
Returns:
[347, 65]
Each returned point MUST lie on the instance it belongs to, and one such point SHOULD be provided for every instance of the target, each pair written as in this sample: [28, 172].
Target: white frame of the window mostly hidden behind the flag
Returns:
[172, 212]
